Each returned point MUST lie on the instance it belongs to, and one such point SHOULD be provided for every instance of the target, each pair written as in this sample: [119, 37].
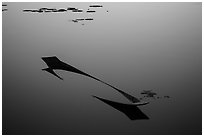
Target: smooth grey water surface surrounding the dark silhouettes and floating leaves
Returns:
[135, 46]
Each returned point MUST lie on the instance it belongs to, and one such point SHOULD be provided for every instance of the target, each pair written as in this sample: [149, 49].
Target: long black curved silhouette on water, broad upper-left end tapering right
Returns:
[54, 63]
